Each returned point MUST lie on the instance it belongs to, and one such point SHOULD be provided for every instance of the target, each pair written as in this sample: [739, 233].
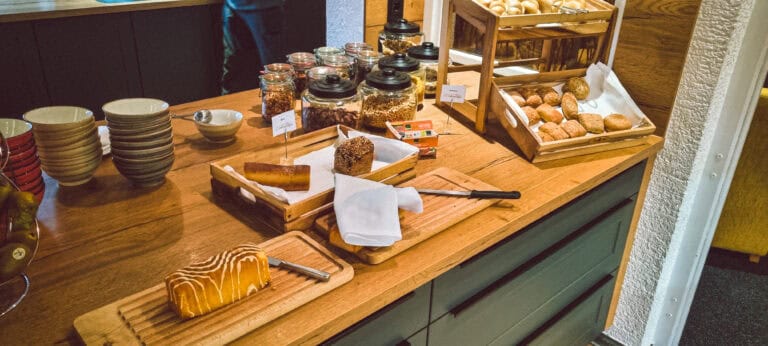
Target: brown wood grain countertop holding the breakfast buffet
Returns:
[106, 240]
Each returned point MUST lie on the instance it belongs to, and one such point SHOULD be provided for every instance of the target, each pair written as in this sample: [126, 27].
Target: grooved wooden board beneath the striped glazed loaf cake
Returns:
[146, 318]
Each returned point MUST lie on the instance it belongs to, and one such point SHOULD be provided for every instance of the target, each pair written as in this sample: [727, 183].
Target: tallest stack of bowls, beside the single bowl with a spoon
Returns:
[141, 139]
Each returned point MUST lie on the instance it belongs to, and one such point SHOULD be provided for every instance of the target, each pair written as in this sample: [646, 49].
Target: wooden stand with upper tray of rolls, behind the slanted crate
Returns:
[552, 29]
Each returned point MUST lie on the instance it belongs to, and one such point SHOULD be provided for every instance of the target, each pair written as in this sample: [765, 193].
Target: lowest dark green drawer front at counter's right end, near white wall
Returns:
[583, 322]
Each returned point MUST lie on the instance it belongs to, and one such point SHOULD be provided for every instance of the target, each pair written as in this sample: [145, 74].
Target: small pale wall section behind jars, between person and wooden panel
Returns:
[344, 21]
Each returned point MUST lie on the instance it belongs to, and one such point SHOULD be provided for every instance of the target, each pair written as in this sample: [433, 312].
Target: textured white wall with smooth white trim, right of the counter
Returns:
[692, 174]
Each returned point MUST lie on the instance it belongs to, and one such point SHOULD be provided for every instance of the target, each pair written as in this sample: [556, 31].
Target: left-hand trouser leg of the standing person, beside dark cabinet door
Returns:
[240, 70]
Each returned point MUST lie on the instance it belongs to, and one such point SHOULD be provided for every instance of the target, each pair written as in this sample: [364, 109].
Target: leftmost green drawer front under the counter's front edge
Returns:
[392, 324]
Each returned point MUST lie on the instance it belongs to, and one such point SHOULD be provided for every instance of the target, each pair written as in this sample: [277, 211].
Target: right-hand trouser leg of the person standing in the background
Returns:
[266, 27]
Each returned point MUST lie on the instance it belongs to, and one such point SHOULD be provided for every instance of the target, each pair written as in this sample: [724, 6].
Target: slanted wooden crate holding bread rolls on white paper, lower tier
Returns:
[530, 143]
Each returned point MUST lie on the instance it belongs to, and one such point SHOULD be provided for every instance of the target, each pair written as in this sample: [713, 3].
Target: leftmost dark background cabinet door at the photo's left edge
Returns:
[22, 84]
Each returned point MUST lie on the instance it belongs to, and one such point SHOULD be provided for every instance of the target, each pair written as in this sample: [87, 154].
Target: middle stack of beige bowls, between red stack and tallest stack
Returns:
[67, 143]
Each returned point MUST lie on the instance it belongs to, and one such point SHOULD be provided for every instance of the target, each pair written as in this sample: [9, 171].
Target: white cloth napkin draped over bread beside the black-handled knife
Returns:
[366, 211]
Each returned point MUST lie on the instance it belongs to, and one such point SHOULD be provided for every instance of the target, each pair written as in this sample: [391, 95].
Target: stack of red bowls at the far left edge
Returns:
[23, 166]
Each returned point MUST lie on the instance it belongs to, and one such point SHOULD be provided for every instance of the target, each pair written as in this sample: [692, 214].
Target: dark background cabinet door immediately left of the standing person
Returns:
[179, 53]
